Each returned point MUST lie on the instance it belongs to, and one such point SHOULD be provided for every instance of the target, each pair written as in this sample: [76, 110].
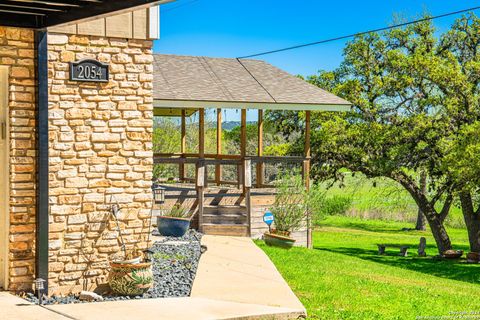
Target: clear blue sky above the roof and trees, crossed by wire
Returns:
[228, 28]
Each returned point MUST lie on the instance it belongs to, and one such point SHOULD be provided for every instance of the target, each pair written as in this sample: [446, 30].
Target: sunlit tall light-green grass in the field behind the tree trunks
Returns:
[383, 199]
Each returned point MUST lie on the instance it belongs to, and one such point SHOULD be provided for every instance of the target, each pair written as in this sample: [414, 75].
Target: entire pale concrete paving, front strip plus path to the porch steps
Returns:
[235, 280]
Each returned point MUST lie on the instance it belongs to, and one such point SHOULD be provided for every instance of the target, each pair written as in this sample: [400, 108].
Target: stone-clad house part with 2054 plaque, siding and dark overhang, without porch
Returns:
[72, 147]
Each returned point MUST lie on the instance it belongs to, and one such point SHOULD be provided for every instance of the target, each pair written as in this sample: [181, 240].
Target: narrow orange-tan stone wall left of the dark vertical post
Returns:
[17, 52]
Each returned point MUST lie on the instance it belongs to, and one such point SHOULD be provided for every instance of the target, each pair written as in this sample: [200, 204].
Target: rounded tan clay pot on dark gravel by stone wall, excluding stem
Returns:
[130, 279]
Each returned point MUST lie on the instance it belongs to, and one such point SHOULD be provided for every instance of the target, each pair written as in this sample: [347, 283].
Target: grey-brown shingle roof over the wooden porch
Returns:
[189, 78]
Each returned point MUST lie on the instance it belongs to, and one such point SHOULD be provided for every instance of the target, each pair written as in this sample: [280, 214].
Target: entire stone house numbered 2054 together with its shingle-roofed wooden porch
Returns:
[77, 99]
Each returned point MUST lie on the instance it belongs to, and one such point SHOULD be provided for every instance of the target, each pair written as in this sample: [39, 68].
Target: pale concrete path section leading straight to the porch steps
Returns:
[235, 269]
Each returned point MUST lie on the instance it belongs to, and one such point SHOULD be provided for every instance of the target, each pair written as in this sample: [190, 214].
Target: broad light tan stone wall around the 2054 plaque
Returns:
[100, 139]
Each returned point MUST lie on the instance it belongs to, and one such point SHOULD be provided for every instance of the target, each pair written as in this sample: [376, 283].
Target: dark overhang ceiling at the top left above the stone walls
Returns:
[38, 14]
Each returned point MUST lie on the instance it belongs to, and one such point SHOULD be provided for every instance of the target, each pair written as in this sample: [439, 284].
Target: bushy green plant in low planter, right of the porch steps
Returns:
[289, 212]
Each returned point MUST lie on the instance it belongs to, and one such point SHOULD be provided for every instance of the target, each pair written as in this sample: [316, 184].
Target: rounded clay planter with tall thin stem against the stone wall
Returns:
[130, 274]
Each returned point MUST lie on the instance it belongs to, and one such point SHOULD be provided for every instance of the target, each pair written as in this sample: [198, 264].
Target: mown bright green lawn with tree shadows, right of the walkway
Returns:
[344, 278]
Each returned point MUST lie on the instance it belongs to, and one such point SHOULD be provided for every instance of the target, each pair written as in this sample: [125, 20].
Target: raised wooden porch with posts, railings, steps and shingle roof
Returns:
[187, 85]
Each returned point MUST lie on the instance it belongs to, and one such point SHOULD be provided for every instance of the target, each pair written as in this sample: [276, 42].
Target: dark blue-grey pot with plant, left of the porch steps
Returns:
[175, 223]
